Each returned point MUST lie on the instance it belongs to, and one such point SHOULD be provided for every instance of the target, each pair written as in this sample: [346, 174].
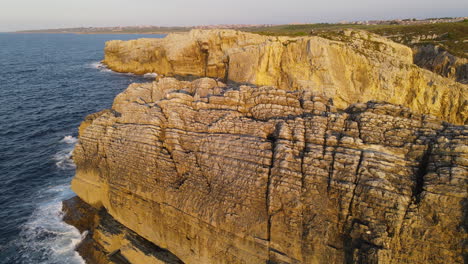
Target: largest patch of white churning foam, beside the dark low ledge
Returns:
[45, 233]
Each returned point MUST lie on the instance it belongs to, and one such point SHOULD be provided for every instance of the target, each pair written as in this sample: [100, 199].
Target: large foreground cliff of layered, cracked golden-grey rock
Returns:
[219, 174]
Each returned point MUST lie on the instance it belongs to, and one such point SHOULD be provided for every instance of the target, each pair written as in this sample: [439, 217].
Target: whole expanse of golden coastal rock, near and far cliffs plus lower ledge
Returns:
[283, 170]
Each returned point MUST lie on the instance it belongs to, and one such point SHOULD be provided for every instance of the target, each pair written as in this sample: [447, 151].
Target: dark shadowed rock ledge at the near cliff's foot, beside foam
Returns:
[106, 241]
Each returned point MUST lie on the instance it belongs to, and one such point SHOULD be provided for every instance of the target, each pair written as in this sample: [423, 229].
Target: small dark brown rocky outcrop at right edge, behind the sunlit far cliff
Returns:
[438, 60]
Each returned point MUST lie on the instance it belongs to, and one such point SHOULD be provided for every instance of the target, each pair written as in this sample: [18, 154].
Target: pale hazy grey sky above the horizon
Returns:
[36, 14]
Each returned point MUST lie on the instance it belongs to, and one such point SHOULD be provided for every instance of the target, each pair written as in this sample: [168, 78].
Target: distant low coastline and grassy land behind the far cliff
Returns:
[451, 36]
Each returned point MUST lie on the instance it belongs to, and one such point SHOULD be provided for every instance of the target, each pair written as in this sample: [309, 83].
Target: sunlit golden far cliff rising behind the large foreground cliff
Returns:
[356, 67]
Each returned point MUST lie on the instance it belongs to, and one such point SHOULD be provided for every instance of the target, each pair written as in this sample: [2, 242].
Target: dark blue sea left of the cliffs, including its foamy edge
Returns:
[48, 84]
